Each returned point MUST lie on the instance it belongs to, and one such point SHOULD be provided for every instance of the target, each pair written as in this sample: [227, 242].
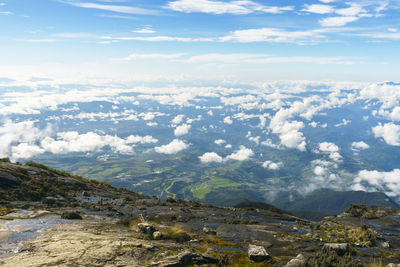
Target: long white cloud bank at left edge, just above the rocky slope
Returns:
[24, 140]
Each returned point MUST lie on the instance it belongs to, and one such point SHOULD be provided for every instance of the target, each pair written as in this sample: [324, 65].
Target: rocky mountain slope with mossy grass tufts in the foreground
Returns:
[51, 218]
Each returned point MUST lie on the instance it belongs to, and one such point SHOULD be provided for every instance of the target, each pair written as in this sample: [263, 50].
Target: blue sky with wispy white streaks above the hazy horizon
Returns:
[200, 40]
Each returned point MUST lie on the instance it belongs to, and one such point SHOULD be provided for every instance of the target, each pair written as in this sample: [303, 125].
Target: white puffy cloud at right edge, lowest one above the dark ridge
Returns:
[388, 182]
